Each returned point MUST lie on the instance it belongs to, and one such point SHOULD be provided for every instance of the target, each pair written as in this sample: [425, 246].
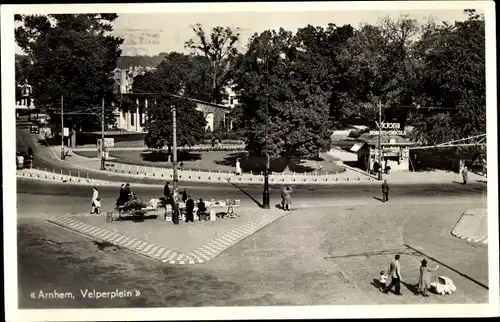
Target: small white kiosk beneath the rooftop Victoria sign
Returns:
[395, 152]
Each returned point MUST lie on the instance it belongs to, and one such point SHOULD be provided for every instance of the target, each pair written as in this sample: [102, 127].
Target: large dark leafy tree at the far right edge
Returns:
[452, 78]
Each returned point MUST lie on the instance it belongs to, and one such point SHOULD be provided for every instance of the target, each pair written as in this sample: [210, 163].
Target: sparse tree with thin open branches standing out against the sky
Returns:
[220, 49]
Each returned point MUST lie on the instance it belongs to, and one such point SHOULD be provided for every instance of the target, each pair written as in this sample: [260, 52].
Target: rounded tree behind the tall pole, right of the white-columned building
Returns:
[182, 75]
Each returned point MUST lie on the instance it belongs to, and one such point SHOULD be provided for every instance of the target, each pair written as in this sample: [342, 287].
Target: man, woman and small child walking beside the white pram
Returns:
[394, 274]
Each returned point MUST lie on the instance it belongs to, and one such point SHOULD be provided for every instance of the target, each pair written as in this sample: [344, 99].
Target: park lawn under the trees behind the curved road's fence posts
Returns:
[223, 161]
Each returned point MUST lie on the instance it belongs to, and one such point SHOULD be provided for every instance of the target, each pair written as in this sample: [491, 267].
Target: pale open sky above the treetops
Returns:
[166, 32]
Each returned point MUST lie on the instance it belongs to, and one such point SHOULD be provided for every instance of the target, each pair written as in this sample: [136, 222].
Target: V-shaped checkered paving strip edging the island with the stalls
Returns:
[205, 253]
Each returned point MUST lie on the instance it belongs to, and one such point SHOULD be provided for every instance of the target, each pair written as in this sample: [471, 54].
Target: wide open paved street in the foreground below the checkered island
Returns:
[329, 255]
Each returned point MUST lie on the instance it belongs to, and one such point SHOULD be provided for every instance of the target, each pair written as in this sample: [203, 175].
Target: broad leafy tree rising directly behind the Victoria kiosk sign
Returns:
[379, 66]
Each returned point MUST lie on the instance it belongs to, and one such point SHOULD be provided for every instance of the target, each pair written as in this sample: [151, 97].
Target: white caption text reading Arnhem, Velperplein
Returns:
[87, 294]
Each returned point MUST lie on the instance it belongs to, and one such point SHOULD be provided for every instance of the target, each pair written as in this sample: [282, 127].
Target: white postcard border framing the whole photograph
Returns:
[295, 312]
